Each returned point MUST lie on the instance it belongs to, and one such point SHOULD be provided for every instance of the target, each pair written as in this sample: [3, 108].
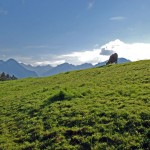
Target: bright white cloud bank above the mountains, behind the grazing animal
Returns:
[131, 51]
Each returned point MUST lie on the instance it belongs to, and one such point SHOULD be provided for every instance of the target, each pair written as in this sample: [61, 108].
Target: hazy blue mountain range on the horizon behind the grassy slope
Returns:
[21, 70]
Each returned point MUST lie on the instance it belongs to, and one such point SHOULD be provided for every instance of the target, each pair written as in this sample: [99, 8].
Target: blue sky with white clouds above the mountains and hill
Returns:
[41, 32]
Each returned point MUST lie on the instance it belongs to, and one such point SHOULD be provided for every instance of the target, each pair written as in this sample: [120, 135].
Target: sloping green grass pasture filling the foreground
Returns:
[99, 108]
